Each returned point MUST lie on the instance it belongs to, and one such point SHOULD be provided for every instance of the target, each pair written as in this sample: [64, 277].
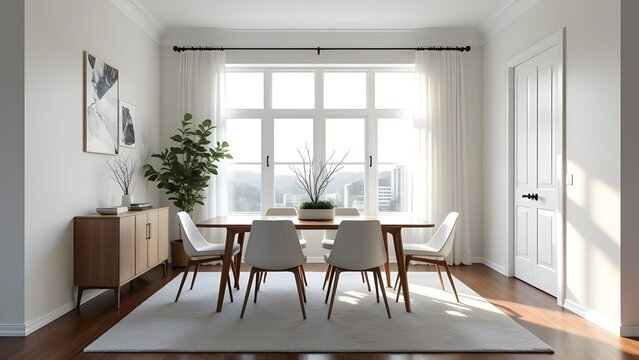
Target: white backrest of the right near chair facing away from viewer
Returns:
[358, 245]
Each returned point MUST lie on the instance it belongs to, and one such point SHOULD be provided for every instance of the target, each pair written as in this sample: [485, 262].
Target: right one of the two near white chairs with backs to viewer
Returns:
[357, 247]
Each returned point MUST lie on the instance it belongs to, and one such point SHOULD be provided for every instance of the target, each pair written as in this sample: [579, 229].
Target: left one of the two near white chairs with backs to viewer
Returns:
[274, 246]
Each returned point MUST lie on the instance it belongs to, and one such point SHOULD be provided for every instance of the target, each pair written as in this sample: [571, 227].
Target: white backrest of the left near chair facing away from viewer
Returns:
[273, 245]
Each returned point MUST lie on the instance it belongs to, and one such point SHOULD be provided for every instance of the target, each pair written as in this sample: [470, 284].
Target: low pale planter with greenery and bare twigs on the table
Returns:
[313, 177]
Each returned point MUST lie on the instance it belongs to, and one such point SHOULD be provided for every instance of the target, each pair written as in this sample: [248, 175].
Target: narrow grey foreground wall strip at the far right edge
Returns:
[629, 168]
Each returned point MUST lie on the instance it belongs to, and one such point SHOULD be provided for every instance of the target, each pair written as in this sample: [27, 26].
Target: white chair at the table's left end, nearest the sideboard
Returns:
[200, 251]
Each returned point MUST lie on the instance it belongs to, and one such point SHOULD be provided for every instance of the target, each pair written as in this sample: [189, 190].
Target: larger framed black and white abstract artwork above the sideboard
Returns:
[101, 106]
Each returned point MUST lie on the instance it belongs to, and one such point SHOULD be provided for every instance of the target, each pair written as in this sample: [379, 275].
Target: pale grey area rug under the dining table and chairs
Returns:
[358, 323]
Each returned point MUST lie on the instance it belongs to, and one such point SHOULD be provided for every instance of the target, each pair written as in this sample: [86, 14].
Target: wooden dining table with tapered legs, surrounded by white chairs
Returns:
[237, 227]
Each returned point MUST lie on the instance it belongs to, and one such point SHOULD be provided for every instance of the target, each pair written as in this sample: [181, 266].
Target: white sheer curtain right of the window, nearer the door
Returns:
[440, 179]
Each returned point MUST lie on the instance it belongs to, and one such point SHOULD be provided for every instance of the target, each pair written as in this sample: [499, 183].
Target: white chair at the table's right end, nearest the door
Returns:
[433, 252]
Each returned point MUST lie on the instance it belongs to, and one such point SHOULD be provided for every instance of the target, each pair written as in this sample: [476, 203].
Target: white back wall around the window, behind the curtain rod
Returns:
[472, 69]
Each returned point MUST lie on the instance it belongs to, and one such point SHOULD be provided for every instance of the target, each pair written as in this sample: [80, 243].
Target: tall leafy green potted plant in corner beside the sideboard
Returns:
[187, 166]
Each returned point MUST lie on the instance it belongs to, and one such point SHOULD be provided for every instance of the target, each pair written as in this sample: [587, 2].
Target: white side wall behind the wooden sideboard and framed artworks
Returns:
[61, 180]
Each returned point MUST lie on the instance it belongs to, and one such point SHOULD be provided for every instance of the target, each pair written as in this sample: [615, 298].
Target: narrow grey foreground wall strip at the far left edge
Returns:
[12, 165]
